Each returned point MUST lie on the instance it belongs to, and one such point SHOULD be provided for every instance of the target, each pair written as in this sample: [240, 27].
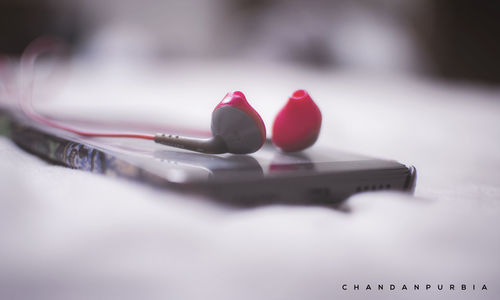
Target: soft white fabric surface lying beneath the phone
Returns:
[67, 234]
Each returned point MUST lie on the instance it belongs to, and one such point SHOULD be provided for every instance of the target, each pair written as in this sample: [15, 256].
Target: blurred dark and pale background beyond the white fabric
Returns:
[448, 39]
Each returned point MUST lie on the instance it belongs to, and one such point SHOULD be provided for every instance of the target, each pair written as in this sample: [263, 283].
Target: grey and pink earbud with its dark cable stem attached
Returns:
[236, 128]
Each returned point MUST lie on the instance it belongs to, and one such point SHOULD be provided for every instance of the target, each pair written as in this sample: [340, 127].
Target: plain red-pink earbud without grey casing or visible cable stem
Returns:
[298, 123]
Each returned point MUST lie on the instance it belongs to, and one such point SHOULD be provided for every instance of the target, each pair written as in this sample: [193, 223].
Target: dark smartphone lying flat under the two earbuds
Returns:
[315, 176]
